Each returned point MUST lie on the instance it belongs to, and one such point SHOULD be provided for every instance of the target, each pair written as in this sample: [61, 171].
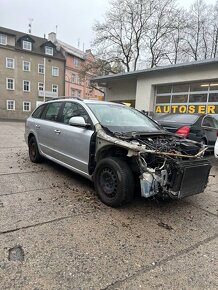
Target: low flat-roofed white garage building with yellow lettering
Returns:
[182, 88]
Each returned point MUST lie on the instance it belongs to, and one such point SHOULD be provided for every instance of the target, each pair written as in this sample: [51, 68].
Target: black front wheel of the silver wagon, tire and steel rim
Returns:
[114, 182]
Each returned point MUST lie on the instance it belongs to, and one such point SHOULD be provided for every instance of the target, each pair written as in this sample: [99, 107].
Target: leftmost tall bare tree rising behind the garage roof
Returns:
[120, 37]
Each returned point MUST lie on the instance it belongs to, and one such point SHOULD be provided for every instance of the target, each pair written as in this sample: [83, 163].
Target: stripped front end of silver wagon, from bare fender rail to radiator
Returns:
[177, 174]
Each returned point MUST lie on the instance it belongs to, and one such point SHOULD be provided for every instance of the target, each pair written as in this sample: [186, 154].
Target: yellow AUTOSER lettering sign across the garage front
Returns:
[190, 109]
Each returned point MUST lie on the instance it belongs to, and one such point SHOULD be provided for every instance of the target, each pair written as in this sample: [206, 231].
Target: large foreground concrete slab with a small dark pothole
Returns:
[87, 252]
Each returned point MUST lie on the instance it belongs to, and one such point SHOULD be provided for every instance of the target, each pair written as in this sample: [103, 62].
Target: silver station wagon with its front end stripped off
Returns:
[117, 147]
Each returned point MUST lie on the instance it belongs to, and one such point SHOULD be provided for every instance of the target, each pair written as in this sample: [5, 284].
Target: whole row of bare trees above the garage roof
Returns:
[140, 33]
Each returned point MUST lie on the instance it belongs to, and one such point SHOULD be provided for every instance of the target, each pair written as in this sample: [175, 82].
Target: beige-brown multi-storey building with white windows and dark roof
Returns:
[31, 71]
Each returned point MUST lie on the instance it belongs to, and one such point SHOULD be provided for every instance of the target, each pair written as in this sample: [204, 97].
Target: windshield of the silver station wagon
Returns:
[118, 118]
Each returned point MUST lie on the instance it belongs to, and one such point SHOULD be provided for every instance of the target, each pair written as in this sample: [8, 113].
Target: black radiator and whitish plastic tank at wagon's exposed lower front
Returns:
[188, 178]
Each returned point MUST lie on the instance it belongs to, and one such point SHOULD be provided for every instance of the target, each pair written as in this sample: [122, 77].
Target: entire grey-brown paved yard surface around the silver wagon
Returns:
[55, 234]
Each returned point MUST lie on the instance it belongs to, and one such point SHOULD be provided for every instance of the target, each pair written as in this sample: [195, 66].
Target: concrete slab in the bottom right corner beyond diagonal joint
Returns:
[196, 269]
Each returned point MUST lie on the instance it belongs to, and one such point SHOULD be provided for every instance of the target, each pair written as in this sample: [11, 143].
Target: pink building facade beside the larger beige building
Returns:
[77, 78]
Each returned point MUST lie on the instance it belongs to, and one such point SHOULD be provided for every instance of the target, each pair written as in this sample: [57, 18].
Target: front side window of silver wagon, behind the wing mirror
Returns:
[73, 110]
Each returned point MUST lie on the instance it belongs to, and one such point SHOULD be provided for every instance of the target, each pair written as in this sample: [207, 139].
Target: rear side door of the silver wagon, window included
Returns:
[48, 129]
